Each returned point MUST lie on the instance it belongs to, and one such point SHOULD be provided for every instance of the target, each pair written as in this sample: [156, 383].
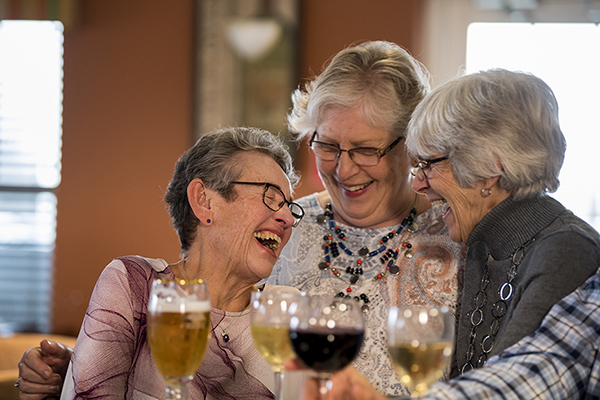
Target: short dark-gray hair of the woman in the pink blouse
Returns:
[213, 160]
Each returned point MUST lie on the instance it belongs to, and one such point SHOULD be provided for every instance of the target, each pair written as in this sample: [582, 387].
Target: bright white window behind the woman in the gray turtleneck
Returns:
[567, 57]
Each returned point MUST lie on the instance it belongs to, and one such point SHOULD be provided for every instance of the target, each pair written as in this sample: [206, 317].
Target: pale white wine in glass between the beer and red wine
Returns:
[273, 343]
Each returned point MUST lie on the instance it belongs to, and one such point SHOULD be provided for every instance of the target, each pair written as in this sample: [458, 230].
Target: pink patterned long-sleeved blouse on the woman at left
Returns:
[112, 358]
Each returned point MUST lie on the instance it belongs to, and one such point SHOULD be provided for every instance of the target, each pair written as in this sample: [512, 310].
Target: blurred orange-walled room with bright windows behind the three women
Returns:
[98, 99]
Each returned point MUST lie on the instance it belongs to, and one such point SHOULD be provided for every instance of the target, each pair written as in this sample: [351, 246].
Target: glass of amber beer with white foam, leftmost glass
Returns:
[178, 331]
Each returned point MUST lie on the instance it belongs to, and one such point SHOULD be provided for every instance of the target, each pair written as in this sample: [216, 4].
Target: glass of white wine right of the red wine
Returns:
[420, 342]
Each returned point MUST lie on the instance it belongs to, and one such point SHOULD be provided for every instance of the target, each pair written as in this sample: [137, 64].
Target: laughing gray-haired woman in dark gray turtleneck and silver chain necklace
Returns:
[489, 147]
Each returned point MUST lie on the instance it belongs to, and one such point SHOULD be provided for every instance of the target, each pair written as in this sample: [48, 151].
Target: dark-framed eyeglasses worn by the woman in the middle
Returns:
[363, 156]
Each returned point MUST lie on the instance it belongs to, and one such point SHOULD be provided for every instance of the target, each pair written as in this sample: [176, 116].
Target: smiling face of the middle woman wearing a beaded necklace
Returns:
[365, 197]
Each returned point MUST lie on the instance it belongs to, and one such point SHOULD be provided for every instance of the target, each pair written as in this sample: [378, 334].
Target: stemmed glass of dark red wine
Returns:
[326, 335]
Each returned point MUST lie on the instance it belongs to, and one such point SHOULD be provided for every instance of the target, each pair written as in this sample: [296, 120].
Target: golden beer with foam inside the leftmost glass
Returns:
[178, 339]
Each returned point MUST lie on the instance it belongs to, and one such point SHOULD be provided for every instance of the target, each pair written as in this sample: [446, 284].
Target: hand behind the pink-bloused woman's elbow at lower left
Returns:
[42, 370]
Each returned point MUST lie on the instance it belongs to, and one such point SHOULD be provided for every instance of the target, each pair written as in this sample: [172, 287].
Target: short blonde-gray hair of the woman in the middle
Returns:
[381, 77]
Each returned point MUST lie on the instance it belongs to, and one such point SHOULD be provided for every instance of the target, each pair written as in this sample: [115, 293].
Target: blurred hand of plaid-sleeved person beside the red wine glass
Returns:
[347, 384]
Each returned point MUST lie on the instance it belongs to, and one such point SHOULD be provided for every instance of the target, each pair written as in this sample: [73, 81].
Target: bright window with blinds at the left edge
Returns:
[31, 72]
